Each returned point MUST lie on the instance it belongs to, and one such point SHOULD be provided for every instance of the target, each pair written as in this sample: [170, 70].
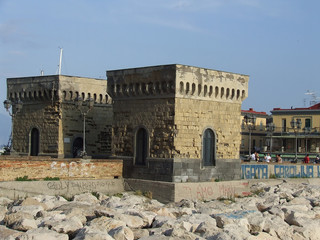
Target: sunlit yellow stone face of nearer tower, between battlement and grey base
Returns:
[192, 117]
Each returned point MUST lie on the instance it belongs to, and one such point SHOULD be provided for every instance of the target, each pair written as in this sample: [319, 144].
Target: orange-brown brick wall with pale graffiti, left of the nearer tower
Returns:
[41, 167]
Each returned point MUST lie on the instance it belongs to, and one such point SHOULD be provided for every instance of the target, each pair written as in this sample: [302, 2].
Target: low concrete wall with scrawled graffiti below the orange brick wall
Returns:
[69, 188]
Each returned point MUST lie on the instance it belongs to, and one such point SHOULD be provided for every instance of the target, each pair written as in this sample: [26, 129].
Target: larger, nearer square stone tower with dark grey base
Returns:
[177, 123]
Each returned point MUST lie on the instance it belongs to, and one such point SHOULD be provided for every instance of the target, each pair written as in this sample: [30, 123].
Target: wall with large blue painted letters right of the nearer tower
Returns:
[263, 171]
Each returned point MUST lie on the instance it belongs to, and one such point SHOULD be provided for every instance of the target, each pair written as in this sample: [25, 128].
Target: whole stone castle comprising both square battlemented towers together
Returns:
[173, 123]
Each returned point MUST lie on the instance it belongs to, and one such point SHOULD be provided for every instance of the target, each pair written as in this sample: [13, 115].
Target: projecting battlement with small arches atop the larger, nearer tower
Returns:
[177, 81]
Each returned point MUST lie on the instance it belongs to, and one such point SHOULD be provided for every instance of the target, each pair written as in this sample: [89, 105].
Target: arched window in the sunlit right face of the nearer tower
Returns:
[208, 148]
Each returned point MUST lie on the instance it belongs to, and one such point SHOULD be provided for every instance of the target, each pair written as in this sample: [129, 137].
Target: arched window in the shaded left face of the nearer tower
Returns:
[141, 146]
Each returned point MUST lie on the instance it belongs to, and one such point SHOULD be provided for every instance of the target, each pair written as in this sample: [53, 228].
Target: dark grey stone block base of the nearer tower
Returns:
[182, 170]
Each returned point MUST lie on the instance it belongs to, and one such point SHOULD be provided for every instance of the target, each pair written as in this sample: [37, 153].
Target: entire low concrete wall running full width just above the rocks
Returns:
[162, 191]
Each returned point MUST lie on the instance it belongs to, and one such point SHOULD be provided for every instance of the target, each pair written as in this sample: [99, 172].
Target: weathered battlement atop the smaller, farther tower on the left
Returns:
[56, 88]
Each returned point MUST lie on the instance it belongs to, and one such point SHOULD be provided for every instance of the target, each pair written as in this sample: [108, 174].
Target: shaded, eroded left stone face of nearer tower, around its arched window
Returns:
[155, 115]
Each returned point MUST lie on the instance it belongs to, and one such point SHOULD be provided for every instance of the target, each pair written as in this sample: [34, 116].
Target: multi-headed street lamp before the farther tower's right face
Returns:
[79, 102]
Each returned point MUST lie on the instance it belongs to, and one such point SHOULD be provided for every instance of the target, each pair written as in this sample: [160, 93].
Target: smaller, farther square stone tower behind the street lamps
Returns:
[49, 122]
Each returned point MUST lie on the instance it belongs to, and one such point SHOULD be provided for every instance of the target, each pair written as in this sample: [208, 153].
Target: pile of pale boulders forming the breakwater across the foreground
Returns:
[283, 211]
